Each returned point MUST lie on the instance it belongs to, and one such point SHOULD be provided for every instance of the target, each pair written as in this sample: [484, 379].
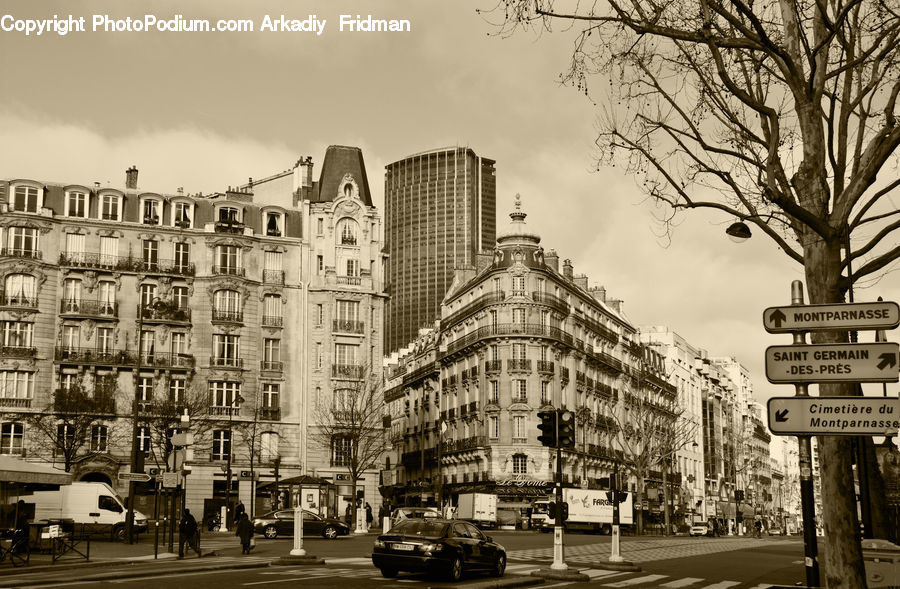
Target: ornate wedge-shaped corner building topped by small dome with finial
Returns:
[516, 336]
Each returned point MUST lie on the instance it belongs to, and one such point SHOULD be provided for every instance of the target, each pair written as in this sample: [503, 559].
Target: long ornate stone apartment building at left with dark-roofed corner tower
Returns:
[237, 306]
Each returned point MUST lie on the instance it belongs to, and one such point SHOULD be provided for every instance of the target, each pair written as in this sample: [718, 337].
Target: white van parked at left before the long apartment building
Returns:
[95, 505]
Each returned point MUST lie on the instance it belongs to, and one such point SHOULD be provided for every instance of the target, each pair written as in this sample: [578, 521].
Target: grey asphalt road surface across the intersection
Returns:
[668, 563]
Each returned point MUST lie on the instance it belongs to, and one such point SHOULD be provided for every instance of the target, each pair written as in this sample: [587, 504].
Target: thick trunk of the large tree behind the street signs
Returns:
[843, 557]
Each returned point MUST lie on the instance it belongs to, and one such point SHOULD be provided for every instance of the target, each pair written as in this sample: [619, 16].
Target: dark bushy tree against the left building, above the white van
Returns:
[68, 421]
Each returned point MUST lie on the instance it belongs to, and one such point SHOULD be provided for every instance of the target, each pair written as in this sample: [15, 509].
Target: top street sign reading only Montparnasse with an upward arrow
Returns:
[878, 315]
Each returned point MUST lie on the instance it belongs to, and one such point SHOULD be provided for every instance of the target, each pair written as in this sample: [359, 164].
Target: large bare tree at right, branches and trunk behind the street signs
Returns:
[780, 113]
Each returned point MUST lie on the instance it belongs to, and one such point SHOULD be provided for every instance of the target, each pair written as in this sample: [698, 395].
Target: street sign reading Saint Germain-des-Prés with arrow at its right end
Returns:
[869, 362]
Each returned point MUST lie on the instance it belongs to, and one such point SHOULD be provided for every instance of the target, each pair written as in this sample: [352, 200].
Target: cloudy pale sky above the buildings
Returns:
[204, 111]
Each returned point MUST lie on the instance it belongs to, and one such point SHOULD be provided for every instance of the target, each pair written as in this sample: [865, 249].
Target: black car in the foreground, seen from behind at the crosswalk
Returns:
[437, 546]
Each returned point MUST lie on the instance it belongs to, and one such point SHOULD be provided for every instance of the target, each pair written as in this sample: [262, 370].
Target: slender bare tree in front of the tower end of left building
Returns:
[350, 426]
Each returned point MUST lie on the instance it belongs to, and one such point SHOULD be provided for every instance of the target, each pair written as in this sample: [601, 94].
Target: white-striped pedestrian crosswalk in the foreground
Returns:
[361, 568]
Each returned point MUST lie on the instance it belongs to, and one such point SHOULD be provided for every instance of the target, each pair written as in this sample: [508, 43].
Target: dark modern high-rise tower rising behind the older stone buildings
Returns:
[440, 211]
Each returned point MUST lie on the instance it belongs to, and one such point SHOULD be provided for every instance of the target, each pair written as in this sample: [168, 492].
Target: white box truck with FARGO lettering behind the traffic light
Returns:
[589, 510]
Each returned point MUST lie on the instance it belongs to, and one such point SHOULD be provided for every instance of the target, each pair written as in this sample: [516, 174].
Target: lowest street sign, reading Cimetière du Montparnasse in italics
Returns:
[834, 416]
